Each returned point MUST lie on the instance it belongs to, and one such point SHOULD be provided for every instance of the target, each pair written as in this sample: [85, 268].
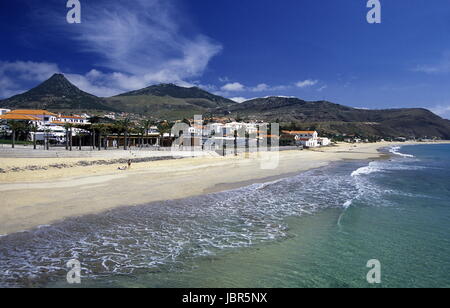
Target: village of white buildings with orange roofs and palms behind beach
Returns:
[45, 129]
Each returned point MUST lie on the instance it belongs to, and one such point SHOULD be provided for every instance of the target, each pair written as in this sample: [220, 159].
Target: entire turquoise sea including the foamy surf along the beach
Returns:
[317, 229]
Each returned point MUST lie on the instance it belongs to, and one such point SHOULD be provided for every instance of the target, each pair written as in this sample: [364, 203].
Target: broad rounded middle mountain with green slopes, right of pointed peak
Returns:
[169, 101]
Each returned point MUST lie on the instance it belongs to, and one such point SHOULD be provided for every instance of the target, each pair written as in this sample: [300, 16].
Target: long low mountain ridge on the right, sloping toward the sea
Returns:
[330, 118]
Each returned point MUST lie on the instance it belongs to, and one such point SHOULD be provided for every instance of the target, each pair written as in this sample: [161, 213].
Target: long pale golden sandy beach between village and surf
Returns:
[39, 197]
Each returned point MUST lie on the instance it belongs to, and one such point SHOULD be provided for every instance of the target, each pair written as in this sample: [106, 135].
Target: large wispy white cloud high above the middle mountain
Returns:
[145, 39]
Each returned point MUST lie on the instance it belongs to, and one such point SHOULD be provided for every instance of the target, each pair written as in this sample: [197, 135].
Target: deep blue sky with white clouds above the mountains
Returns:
[310, 49]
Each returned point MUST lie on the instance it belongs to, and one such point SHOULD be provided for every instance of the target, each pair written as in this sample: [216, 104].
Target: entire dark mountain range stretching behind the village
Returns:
[171, 102]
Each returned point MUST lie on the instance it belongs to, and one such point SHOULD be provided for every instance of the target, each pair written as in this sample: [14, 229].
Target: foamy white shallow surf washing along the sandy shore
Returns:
[166, 236]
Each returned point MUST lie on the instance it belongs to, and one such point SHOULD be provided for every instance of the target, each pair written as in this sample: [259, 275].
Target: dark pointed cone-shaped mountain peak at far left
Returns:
[56, 94]
